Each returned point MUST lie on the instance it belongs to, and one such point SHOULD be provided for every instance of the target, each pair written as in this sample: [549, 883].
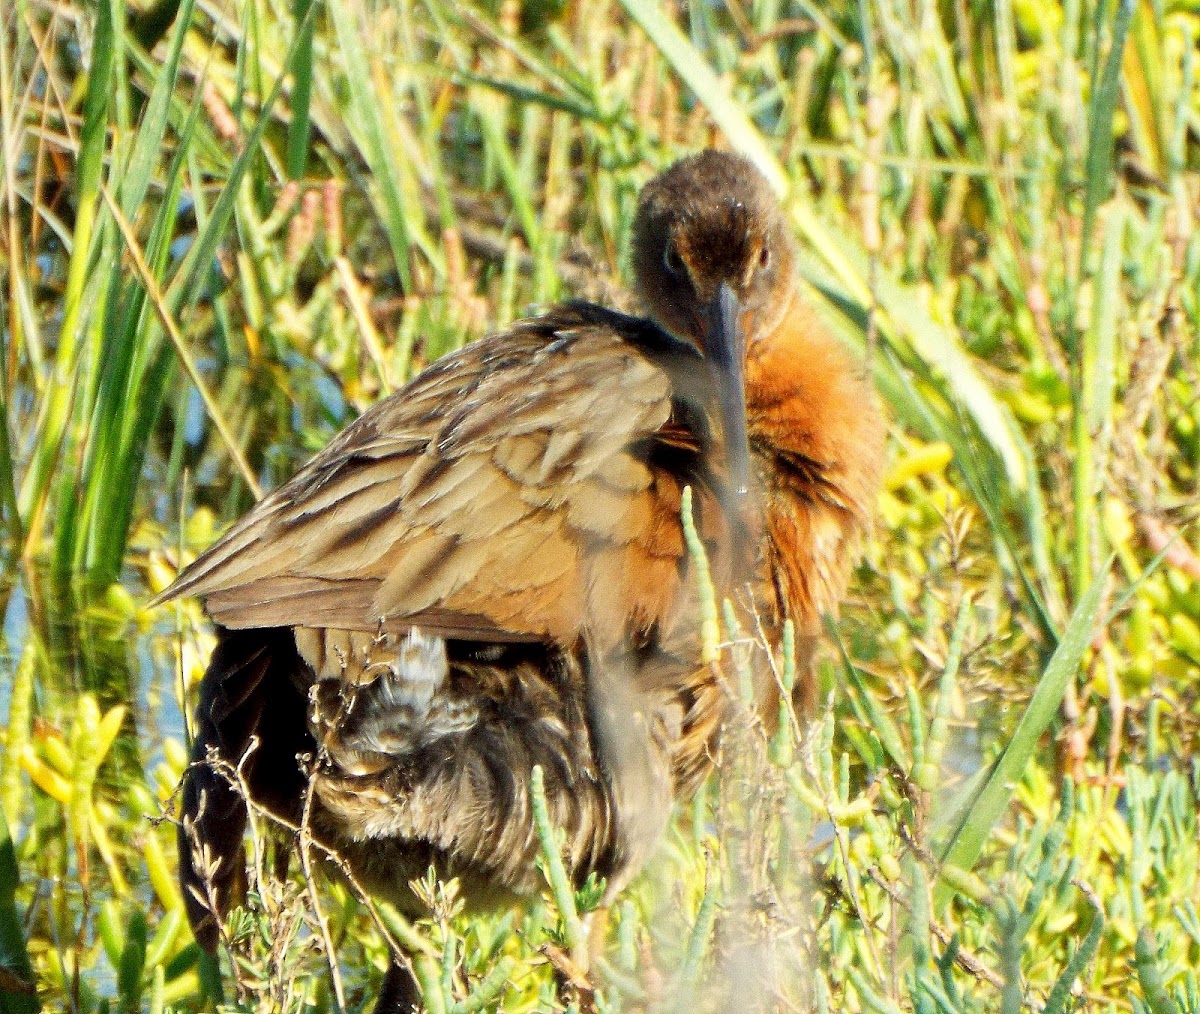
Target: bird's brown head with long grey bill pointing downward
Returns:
[715, 265]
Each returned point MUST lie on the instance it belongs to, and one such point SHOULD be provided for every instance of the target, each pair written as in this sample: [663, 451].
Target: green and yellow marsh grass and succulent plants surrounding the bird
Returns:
[229, 226]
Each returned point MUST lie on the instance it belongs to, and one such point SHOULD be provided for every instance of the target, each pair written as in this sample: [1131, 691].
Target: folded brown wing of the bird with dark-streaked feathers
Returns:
[503, 494]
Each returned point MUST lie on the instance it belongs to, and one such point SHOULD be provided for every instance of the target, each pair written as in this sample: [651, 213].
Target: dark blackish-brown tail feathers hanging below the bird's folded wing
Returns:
[251, 724]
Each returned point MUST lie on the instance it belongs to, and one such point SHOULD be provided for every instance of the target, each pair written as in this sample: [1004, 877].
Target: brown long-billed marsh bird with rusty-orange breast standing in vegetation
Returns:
[488, 572]
